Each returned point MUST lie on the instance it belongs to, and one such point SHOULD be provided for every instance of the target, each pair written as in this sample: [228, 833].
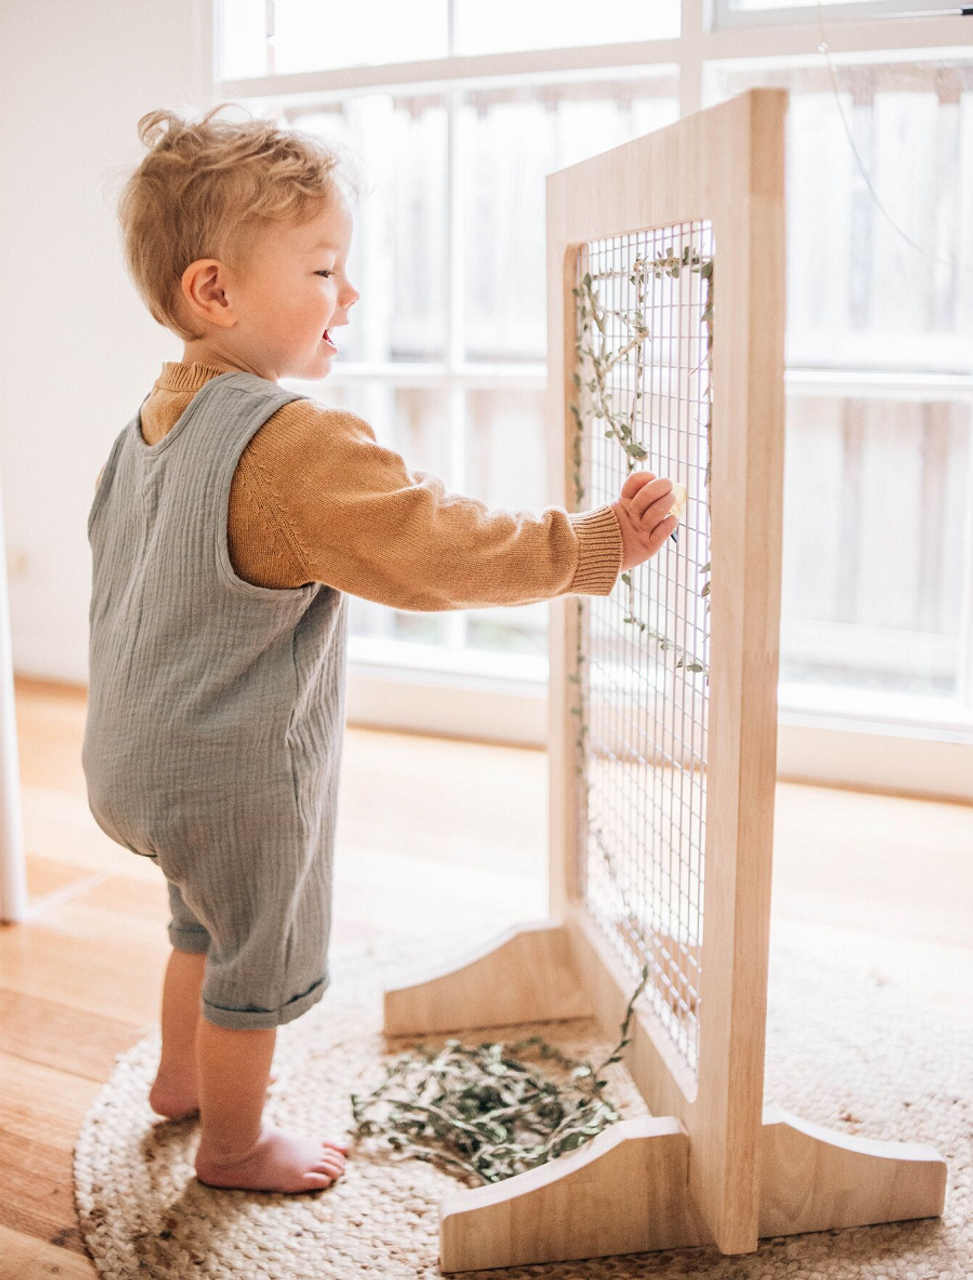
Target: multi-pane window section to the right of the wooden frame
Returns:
[878, 458]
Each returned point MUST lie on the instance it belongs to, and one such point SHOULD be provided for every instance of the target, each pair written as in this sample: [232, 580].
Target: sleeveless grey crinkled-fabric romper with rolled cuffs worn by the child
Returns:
[216, 712]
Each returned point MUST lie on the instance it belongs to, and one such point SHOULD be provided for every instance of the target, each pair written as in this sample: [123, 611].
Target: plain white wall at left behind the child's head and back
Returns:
[79, 351]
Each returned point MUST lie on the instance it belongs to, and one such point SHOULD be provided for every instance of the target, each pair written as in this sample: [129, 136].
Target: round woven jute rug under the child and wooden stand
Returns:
[846, 1049]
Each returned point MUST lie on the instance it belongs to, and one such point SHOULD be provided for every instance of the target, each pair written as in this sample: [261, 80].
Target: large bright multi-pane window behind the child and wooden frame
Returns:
[459, 118]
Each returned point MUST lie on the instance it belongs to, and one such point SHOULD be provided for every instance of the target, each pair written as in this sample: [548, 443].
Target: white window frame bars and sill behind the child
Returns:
[898, 746]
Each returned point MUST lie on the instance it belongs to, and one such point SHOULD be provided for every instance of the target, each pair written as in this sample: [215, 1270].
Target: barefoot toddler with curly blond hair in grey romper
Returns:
[230, 525]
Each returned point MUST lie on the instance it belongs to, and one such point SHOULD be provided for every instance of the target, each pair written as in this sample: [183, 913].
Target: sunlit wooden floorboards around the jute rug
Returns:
[884, 881]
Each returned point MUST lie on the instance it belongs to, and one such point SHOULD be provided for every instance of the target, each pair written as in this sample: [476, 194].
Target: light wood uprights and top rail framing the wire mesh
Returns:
[725, 166]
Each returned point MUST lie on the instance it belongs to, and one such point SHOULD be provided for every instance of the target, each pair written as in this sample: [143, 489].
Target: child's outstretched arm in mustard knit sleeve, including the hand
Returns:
[364, 523]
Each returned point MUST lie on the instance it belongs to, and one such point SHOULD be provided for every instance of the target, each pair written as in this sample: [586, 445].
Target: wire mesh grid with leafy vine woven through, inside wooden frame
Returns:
[643, 392]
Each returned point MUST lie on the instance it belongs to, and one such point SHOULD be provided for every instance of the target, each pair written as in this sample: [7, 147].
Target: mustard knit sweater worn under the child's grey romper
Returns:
[316, 499]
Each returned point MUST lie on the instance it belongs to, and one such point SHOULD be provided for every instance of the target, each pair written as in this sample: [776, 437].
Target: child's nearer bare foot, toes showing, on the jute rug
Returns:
[278, 1162]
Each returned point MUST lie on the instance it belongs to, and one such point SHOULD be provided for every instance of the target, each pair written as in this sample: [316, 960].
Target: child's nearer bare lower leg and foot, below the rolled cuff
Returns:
[237, 1148]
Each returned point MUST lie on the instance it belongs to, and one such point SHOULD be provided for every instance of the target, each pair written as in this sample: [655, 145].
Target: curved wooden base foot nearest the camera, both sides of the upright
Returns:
[628, 1192]
